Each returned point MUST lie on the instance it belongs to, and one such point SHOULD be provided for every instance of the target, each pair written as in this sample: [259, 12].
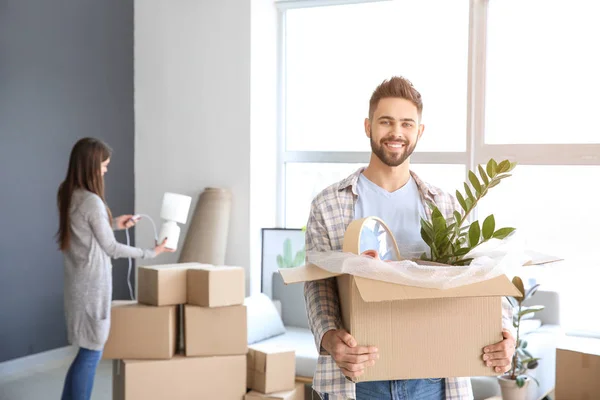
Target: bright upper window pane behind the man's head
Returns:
[337, 55]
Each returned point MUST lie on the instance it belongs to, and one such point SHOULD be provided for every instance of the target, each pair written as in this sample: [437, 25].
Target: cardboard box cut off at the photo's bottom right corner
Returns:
[578, 369]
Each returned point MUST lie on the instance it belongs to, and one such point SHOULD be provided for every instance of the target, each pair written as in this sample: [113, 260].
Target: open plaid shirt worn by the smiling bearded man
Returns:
[331, 213]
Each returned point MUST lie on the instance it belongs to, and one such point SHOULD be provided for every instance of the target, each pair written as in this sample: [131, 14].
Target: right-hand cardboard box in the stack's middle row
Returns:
[215, 331]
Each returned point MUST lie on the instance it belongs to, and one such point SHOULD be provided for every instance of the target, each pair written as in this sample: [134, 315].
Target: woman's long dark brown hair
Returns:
[84, 172]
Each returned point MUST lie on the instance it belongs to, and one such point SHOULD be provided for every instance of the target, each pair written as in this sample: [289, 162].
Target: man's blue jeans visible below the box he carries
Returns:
[410, 389]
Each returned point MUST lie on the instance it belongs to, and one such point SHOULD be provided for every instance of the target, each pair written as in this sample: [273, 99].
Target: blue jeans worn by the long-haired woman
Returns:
[80, 378]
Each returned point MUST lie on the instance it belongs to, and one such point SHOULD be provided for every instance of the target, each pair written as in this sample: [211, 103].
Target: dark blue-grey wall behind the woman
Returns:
[66, 71]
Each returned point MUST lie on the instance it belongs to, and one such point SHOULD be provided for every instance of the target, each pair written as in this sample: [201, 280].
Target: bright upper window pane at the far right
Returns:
[542, 72]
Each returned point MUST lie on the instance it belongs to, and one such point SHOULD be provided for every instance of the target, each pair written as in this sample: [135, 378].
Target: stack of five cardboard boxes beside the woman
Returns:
[143, 336]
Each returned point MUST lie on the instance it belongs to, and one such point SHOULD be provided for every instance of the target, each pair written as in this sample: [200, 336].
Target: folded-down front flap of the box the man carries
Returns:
[373, 291]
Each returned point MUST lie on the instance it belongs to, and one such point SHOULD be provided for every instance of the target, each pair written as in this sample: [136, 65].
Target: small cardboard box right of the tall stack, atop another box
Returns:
[271, 369]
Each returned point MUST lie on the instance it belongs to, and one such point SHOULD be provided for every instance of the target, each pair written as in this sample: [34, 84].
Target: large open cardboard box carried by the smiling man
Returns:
[420, 333]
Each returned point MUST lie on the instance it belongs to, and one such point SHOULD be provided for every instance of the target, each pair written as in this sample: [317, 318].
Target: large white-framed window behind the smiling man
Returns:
[509, 79]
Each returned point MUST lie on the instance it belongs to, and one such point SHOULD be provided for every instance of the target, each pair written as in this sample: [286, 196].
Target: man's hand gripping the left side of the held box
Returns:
[349, 357]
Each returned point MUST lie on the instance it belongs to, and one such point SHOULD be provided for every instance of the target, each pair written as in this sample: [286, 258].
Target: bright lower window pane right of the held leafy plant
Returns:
[550, 207]
